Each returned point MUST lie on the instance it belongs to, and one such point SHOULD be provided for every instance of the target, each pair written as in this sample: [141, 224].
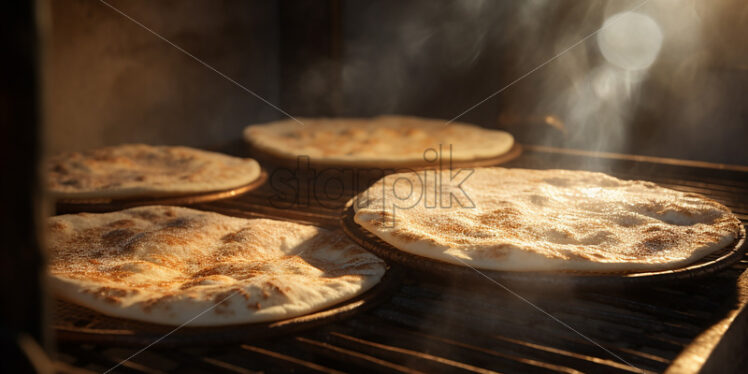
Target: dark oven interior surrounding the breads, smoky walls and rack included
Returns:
[85, 74]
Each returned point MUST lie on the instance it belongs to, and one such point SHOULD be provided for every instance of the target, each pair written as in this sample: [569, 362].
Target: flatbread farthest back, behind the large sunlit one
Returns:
[385, 141]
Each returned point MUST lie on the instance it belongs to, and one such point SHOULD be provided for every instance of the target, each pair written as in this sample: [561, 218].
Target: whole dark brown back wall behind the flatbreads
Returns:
[111, 81]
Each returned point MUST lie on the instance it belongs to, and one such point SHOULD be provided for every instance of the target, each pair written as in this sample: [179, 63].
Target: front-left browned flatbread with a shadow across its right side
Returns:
[167, 265]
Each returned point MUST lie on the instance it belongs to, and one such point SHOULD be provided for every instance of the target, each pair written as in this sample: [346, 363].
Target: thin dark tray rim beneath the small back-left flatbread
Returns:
[108, 205]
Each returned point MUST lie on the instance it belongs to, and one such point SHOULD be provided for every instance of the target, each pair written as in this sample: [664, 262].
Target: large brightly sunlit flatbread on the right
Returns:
[538, 220]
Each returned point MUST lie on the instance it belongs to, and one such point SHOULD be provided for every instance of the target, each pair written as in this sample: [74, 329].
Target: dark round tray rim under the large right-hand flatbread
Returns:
[710, 264]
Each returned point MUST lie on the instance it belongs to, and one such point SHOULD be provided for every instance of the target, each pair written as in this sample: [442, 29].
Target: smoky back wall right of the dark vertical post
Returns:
[439, 58]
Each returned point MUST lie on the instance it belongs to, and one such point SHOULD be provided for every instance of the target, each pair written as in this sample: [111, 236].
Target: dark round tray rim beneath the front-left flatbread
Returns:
[76, 324]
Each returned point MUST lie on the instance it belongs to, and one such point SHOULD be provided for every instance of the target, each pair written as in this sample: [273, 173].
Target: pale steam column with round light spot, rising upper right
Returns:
[599, 102]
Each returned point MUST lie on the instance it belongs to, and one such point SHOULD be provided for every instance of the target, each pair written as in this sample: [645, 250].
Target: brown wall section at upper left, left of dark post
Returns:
[111, 81]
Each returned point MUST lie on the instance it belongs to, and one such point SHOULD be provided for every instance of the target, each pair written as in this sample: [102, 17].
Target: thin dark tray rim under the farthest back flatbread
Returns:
[289, 163]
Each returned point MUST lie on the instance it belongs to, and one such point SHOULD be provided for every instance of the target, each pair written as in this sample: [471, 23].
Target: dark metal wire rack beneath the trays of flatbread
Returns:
[441, 324]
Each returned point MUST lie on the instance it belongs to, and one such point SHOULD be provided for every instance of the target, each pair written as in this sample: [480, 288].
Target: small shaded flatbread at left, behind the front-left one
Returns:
[139, 170]
